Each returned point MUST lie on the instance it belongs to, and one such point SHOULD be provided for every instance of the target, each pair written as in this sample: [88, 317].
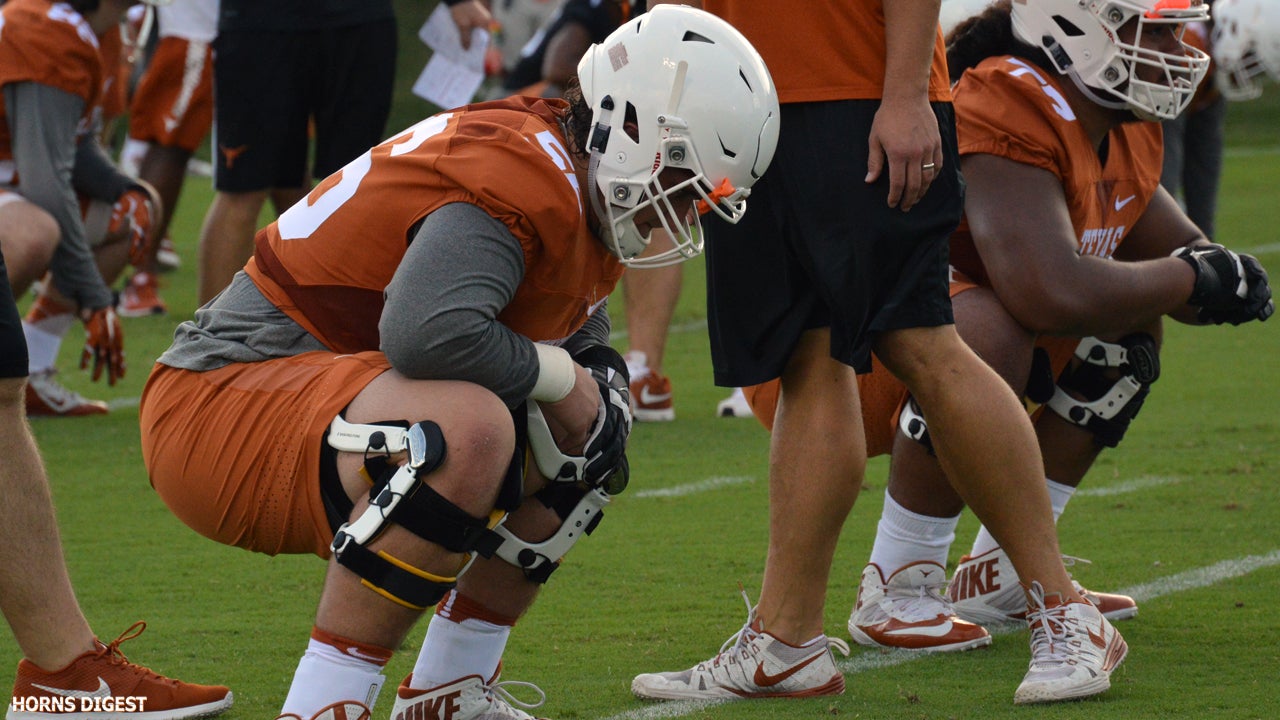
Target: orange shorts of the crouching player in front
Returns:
[236, 453]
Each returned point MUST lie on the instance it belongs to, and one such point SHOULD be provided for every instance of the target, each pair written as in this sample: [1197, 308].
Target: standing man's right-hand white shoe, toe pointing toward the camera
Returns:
[1075, 650]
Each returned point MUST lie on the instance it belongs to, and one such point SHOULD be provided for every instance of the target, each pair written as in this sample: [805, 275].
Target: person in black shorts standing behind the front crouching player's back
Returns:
[282, 71]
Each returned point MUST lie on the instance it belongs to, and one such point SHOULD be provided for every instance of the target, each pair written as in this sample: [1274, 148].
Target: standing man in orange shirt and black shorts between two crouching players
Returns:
[845, 254]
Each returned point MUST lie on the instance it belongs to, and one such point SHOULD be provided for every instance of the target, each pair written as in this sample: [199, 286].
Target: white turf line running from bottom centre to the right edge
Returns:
[877, 660]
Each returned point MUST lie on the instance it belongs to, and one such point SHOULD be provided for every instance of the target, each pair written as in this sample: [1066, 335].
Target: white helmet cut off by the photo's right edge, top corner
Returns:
[1246, 45]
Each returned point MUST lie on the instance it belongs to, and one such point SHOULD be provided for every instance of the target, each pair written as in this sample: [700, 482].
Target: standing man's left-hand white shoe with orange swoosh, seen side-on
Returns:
[752, 664]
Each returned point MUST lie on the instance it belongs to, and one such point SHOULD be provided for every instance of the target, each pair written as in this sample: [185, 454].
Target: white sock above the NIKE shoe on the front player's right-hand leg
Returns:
[455, 650]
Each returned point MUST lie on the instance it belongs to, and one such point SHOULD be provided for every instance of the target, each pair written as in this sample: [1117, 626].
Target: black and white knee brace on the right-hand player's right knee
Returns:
[1112, 403]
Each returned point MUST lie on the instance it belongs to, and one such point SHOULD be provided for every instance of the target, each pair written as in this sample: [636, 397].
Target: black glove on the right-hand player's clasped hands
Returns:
[1229, 288]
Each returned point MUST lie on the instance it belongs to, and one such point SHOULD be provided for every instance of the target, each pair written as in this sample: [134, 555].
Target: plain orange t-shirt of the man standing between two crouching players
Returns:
[820, 52]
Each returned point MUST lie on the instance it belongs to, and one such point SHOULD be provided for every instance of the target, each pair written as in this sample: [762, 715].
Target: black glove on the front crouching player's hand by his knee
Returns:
[607, 444]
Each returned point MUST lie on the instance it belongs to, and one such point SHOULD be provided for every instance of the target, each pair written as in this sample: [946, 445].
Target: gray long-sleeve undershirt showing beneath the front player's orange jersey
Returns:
[440, 320]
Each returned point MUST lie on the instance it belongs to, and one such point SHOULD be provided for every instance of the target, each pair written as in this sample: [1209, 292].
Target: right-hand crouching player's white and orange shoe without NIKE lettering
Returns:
[911, 612]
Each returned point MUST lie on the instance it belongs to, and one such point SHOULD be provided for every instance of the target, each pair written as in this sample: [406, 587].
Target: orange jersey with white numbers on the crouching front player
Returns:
[327, 261]
